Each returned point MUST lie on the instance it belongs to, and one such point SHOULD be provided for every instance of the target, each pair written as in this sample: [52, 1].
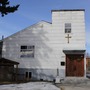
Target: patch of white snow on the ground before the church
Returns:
[30, 86]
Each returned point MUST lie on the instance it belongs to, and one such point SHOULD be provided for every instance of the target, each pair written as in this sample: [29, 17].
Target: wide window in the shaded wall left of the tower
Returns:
[27, 51]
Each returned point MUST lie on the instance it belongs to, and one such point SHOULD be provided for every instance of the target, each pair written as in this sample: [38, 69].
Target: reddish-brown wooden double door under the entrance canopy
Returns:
[74, 65]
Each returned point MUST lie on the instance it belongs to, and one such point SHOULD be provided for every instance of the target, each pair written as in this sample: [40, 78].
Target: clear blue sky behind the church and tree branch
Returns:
[33, 11]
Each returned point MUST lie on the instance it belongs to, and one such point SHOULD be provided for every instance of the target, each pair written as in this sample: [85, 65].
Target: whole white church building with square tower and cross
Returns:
[47, 50]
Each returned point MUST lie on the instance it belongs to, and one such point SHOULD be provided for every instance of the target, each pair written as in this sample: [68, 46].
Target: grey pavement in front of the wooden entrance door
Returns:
[74, 84]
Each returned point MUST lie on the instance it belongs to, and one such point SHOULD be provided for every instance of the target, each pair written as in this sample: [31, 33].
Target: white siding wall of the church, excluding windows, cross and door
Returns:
[49, 40]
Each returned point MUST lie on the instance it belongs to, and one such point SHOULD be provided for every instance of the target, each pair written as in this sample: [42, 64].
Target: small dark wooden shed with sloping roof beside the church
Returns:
[7, 70]
